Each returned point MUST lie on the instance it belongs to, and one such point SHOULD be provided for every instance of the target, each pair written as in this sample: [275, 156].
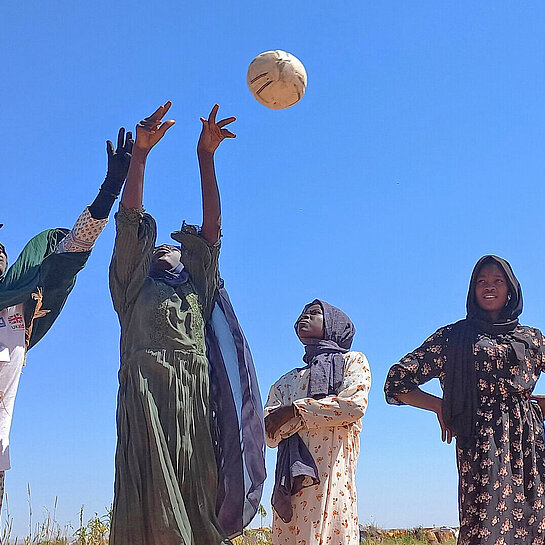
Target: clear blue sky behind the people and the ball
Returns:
[417, 148]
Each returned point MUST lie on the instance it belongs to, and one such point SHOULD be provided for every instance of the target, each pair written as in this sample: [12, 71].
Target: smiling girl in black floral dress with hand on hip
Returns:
[488, 365]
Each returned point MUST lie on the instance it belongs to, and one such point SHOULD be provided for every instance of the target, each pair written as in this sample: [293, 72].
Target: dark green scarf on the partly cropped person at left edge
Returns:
[39, 276]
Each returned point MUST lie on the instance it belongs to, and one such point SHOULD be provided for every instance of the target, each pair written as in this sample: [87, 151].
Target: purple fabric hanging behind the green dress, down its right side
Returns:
[237, 419]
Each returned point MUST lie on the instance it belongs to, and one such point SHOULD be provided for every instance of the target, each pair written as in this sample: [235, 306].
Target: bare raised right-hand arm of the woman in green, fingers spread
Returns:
[211, 136]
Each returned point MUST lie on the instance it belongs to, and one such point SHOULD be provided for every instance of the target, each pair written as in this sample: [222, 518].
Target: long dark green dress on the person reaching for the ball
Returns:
[166, 475]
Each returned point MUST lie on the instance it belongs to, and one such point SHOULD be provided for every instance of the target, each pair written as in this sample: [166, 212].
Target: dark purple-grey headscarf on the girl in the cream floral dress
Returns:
[324, 356]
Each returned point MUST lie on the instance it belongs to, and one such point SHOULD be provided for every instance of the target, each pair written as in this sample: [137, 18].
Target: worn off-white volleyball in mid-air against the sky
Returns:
[277, 79]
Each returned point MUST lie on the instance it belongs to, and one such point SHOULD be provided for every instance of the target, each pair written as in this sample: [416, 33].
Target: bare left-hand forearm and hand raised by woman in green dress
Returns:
[148, 132]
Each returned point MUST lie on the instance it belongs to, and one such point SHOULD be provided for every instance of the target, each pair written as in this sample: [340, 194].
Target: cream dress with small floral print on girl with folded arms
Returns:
[324, 514]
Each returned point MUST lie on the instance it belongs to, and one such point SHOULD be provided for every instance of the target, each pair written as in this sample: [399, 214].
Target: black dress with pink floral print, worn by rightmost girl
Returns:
[502, 475]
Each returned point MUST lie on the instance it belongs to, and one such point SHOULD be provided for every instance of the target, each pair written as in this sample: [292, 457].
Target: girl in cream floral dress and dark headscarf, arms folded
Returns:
[321, 405]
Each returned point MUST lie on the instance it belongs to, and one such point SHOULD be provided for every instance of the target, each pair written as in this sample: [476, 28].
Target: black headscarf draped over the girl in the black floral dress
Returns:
[460, 393]
